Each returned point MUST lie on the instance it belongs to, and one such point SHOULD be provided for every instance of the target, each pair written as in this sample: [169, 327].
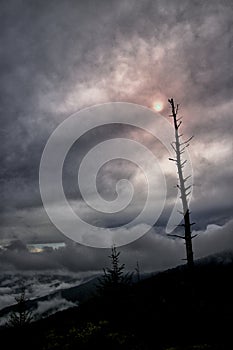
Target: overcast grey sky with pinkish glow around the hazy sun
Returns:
[59, 57]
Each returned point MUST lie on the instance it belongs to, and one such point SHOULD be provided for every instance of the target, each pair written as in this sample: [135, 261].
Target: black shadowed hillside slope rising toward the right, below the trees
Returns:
[176, 309]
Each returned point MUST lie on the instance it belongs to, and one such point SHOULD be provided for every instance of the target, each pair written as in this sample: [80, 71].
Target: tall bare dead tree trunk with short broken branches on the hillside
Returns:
[179, 148]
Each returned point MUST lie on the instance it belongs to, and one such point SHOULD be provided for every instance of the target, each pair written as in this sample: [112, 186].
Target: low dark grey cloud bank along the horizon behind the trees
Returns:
[154, 251]
